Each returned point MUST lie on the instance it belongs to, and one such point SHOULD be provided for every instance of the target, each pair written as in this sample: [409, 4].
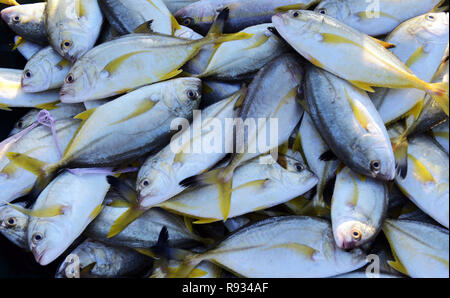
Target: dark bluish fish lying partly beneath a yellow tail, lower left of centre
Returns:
[143, 232]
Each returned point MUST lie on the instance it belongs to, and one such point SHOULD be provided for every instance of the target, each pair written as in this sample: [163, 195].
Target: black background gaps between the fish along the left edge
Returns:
[13, 261]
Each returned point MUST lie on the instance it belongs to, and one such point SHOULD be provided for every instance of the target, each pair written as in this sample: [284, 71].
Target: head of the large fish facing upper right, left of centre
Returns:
[183, 95]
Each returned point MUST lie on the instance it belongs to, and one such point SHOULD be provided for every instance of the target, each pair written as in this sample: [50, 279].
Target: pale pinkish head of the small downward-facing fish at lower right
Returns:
[351, 233]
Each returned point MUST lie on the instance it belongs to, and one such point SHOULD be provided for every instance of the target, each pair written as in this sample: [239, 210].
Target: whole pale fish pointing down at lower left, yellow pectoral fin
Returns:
[78, 200]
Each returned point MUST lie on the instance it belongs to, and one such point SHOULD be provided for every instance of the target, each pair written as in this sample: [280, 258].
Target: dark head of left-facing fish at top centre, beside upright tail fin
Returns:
[198, 16]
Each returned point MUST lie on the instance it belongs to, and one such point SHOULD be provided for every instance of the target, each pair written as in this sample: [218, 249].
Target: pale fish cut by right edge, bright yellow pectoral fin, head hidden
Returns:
[427, 181]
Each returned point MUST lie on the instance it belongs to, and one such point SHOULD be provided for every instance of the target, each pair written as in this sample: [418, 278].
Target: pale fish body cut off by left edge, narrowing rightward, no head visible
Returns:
[13, 96]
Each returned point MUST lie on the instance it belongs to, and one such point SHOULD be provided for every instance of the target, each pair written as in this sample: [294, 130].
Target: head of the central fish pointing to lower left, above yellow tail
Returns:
[155, 181]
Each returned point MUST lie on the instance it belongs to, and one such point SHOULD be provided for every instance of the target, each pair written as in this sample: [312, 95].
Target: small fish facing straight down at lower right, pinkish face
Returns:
[358, 209]
